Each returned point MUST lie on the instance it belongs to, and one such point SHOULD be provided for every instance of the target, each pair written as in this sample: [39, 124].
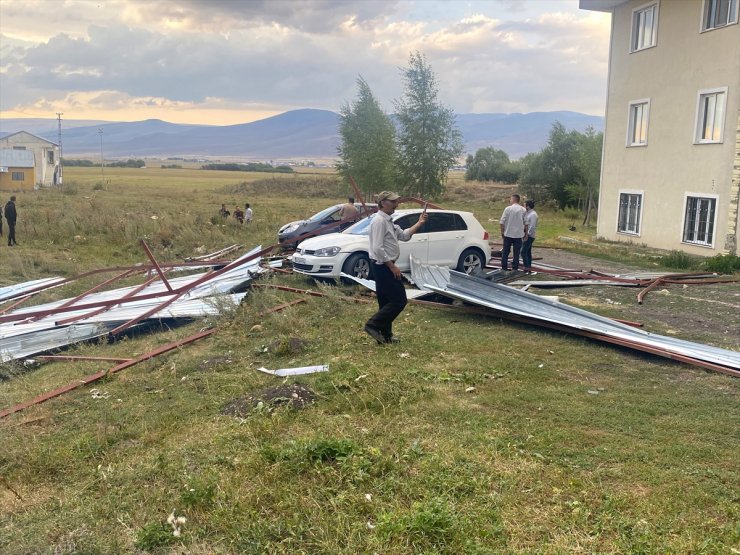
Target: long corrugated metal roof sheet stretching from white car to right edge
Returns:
[520, 303]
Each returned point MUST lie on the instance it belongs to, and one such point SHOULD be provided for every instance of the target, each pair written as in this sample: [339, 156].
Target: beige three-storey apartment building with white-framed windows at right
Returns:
[670, 175]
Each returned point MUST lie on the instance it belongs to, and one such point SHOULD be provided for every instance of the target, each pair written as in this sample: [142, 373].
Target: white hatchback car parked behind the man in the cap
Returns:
[449, 238]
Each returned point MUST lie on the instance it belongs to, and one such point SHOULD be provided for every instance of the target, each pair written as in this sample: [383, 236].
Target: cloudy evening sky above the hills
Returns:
[233, 61]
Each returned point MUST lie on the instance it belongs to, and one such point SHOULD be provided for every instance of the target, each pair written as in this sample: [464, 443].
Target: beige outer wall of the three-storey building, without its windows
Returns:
[671, 74]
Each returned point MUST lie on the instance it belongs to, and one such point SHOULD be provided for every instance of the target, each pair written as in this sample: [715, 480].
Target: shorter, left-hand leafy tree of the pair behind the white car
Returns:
[367, 150]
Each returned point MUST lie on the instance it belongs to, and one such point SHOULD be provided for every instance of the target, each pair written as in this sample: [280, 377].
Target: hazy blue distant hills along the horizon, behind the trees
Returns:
[298, 134]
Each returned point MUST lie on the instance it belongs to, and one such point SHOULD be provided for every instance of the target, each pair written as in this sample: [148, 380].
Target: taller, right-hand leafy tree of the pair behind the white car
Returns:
[429, 142]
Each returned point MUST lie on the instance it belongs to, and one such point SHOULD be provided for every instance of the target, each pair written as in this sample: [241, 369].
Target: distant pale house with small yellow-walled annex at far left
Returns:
[43, 170]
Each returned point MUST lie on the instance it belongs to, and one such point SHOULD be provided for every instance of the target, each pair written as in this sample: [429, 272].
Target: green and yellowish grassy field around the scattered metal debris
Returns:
[471, 436]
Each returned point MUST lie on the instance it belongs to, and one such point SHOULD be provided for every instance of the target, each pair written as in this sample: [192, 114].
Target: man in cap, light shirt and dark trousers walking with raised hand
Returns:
[384, 251]
